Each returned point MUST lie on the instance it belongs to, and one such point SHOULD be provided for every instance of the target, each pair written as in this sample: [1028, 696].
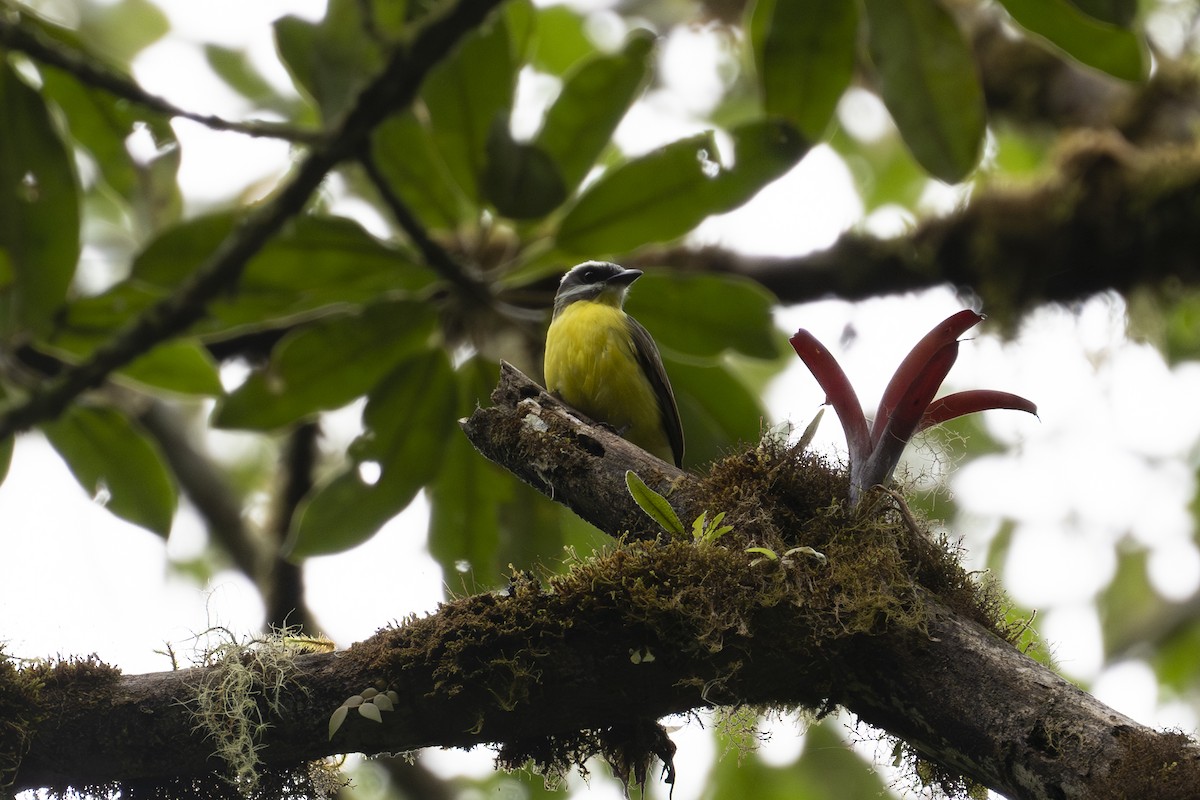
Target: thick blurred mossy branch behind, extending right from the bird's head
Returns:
[1111, 219]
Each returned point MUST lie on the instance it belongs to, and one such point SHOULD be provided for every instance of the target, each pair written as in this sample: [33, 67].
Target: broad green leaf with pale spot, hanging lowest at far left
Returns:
[117, 465]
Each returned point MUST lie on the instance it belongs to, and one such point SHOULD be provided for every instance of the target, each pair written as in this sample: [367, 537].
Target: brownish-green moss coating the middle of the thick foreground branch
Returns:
[839, 575]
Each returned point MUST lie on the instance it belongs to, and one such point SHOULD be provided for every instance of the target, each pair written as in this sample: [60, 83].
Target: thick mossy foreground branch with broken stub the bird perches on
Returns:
[561, 673]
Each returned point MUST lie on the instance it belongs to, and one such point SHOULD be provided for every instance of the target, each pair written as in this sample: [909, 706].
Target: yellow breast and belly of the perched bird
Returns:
[592, 364]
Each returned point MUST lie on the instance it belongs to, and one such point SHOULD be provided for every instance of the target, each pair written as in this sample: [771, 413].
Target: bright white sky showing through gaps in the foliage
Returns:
[1112, 459]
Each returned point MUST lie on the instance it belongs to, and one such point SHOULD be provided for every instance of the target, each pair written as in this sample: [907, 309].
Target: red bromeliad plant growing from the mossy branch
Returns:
[908, 406]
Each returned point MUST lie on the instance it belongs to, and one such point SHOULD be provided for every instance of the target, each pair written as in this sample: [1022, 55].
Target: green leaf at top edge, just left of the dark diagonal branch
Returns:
[331, 61]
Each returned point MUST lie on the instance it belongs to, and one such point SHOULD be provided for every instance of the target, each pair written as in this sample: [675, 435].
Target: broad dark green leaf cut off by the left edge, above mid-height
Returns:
[39, 210]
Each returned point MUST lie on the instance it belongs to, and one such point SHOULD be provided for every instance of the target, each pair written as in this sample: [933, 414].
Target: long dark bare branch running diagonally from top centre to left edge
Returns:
[394, 88]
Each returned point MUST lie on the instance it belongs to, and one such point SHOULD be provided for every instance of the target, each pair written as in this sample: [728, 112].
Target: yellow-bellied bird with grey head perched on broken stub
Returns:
[604, 363]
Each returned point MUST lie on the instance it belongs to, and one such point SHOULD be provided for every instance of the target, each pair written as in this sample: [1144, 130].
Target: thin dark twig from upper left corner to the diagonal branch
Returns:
[92, 73]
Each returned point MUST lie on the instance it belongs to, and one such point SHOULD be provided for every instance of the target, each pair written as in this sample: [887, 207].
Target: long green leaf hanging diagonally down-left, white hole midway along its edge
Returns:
[409, 418]
